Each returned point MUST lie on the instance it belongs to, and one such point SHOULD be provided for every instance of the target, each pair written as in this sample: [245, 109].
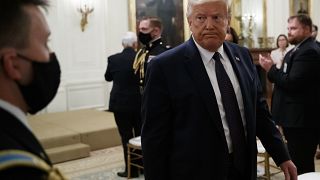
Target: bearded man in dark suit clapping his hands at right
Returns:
[296, 94]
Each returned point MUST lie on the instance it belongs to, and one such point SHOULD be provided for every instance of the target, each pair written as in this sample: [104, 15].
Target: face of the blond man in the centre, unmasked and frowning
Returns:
[208, 23]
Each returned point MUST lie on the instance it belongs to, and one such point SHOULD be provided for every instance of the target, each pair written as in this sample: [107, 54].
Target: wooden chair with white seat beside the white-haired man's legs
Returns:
[134, 154]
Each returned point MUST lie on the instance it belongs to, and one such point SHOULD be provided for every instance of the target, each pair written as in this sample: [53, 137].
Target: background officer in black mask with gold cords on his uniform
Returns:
[150, 29]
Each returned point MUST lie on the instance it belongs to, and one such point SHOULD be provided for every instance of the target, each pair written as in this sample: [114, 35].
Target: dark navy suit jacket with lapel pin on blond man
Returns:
[182, 135]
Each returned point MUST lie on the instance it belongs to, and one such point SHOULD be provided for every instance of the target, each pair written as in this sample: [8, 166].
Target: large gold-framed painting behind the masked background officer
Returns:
[179, 31]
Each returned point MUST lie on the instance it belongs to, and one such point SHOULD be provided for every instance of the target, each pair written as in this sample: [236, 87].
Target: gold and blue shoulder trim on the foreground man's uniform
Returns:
[20, 159]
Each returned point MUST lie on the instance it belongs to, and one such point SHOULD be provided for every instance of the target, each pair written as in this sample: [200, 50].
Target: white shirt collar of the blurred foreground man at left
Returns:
[15, 111]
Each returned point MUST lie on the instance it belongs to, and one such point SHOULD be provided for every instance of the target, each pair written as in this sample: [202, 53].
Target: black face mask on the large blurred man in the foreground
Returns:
[44, 86]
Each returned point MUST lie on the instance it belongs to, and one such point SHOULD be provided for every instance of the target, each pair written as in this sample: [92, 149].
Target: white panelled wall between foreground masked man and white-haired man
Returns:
[83, 55]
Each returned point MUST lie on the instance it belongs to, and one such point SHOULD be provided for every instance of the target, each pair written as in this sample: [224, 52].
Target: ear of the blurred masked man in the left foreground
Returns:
[10, 64]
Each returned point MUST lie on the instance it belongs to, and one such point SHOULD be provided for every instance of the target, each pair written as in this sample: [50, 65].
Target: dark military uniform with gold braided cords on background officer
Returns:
[145, 55]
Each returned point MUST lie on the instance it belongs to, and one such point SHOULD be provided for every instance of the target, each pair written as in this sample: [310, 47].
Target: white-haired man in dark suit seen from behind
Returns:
[125, 98]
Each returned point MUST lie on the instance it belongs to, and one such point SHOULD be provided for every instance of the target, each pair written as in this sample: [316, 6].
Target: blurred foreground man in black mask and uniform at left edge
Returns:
[29, 78]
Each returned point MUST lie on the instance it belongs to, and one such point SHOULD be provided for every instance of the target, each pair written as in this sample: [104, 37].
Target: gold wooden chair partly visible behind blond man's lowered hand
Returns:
[266, 161]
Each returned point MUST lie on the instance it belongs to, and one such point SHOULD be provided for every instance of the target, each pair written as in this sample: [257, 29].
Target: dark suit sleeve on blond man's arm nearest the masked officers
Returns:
[156, 115]
